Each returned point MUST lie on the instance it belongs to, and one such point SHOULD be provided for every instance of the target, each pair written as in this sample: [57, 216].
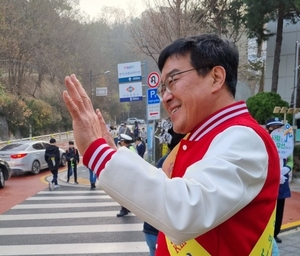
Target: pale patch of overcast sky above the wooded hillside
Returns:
[93, 7]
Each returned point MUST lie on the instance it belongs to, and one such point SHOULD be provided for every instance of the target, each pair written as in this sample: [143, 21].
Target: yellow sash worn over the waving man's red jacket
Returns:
[193, 248]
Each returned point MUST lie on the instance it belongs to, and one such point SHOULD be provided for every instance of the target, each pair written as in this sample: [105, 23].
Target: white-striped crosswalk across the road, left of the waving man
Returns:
[75, 221]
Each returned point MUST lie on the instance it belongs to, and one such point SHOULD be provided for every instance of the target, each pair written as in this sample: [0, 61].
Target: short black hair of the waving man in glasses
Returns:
[206, 51]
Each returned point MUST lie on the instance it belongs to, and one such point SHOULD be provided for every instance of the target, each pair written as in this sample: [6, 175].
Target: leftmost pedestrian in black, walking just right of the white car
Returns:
[52, 158]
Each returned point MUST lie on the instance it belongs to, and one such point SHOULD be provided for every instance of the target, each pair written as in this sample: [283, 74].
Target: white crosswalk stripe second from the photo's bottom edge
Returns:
[71, 229]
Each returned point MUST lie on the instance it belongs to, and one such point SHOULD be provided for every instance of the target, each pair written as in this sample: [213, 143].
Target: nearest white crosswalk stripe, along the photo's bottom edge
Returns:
[71, 249]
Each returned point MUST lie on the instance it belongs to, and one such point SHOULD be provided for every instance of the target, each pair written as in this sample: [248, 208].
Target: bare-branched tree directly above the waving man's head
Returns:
[168, 20]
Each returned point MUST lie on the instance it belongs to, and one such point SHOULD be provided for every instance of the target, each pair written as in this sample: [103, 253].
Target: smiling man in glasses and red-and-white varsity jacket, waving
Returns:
[218, 182]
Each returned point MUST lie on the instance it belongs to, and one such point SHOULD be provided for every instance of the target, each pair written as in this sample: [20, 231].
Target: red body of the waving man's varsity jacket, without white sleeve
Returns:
[239, 234]
